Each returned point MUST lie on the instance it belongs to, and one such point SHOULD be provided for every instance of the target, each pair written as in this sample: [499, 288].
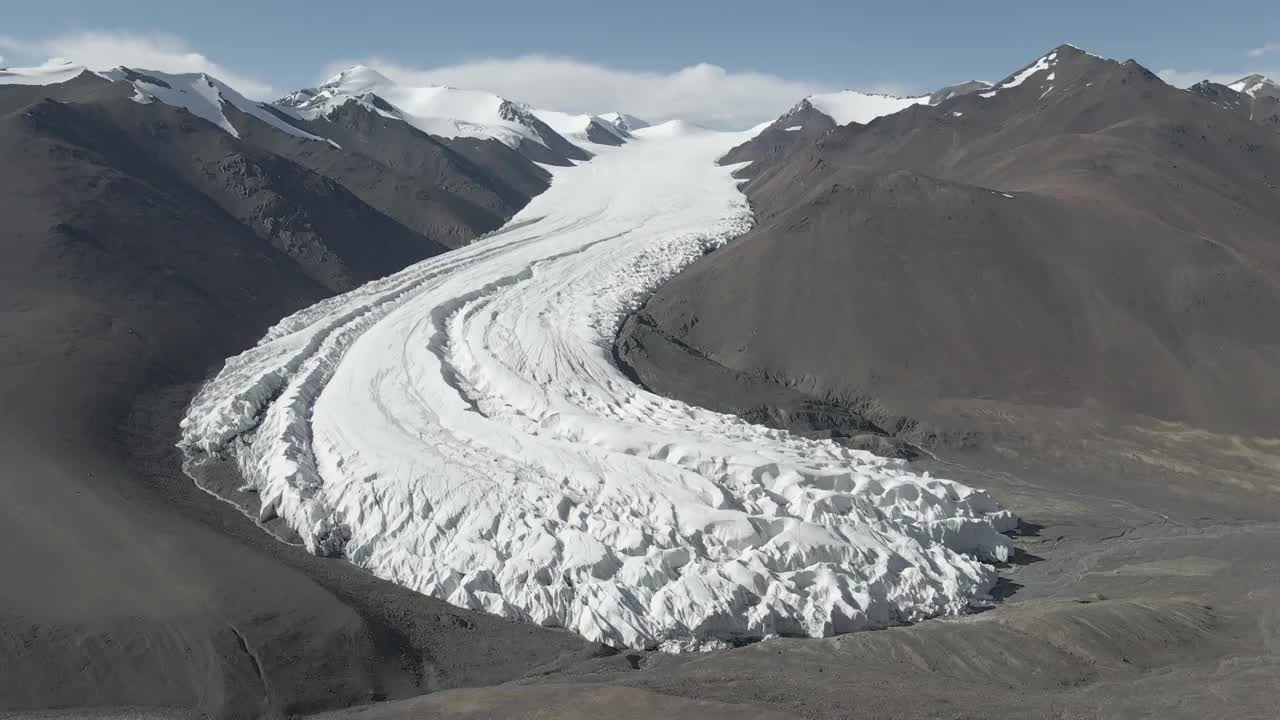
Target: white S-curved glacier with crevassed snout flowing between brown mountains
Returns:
[461, 430]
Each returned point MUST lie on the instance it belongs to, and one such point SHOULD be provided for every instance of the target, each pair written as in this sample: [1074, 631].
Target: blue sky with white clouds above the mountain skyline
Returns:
[723, 63]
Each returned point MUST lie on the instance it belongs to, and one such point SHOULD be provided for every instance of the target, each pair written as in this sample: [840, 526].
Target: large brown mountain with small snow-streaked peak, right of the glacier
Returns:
[1082, 236]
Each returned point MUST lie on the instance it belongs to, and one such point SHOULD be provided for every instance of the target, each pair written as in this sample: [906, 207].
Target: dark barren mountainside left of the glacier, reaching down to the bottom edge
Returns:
[140, 252]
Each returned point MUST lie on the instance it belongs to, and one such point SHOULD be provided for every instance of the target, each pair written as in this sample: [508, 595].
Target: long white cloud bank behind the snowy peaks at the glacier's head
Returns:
[703, 94]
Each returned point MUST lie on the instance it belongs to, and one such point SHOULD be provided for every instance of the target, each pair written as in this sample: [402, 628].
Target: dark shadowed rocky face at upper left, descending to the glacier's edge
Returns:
[328, 233]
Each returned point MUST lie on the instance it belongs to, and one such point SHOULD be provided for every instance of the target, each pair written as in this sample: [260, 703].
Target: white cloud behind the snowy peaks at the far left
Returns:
[103, 51]
